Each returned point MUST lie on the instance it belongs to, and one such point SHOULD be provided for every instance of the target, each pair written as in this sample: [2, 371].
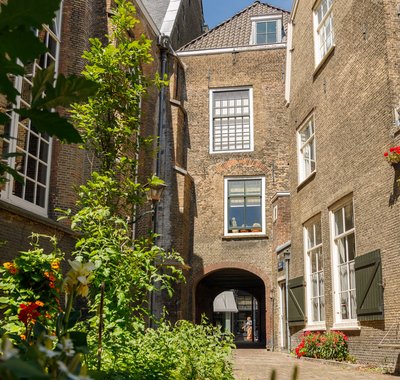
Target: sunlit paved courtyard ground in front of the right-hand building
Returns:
[257, 364]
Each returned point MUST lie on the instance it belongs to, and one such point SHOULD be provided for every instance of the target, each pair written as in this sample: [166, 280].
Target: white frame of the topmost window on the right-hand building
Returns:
[319, 27]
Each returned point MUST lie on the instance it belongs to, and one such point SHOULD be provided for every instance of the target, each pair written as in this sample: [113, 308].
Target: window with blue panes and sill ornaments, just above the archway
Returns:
[244, 205]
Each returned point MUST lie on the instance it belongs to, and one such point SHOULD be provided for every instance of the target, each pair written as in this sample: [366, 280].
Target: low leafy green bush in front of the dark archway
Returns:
[183, 351]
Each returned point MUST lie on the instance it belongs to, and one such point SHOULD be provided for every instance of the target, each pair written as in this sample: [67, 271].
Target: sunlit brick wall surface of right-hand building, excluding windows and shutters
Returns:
[351, 97]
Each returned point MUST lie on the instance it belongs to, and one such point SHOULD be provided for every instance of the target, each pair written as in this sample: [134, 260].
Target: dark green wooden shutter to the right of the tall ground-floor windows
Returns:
[369, 288]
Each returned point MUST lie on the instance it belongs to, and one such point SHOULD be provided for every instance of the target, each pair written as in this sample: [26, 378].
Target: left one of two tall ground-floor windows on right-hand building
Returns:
[314, 273]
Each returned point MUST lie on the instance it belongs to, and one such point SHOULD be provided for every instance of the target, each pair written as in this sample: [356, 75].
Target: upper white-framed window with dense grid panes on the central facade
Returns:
[231, 121]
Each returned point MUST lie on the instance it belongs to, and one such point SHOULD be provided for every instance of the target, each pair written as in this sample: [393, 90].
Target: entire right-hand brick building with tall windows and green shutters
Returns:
[343, 100]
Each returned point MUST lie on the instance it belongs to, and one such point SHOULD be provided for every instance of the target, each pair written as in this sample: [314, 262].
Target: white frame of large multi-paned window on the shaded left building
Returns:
[7, 194]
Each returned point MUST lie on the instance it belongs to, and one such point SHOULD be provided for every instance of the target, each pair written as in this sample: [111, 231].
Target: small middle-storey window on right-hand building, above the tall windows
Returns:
[306, 148]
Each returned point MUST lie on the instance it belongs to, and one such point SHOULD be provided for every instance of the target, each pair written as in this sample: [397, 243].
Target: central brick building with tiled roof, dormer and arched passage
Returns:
[237, 128]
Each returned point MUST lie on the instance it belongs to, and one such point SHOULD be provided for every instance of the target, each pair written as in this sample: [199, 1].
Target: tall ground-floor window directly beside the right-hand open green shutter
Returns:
[343, 260]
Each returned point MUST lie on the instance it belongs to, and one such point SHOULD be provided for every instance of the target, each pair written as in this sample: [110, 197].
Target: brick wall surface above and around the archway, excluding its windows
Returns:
[262, 71]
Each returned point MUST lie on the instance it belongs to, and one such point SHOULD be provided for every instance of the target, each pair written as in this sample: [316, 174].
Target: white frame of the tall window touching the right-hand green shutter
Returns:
[339, 322]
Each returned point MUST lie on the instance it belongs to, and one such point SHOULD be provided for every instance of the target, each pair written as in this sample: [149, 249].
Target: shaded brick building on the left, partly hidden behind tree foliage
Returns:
[51, 170]
